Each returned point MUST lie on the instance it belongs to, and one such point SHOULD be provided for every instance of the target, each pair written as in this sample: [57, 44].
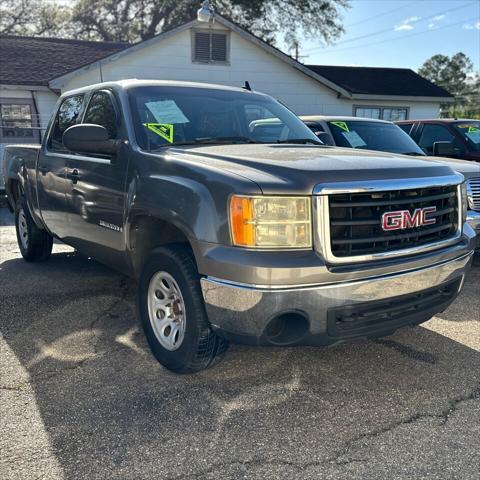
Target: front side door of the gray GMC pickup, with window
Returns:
[96, 188]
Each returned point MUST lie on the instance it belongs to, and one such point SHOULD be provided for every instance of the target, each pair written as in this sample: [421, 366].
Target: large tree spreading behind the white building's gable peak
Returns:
[135, 20]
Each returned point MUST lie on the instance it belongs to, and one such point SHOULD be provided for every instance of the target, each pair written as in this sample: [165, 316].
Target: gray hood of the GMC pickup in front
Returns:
[287, 168]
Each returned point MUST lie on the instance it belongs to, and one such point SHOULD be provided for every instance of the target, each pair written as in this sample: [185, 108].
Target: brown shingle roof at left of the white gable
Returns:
[36, 60]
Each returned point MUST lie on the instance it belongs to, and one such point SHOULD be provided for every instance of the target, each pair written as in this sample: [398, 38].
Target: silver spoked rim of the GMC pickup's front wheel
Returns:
[166, 310]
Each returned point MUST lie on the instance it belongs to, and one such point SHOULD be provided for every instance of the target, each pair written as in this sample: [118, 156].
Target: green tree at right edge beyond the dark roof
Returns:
[452, 73]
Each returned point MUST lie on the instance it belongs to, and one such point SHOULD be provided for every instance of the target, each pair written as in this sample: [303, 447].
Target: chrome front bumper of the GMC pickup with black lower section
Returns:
[332, 313]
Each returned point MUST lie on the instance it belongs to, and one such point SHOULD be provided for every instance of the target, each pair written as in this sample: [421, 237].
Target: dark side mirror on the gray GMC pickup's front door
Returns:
[89, 138]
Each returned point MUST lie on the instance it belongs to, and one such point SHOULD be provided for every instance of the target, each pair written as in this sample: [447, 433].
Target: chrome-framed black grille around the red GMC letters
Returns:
[349, 218]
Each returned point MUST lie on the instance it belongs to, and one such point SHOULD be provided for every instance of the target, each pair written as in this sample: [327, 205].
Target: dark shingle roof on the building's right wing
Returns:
[380, 81]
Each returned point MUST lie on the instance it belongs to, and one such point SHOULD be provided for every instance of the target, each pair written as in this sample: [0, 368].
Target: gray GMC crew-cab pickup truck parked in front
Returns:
[236, 227]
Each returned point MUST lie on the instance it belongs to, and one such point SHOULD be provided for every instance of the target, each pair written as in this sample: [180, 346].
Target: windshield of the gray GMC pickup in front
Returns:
[166, 116]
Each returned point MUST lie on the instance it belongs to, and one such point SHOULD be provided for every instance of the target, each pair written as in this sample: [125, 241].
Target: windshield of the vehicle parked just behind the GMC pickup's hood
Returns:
[367, 135]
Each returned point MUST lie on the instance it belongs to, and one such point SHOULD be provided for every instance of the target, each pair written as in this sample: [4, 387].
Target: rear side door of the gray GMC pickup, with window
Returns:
[52, 163]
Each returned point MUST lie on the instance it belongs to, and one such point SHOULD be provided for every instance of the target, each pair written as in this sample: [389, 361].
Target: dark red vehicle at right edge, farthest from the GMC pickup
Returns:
[446, 137]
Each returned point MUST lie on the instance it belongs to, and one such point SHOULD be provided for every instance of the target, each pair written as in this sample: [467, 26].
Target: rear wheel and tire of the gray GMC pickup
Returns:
[35, 244]
